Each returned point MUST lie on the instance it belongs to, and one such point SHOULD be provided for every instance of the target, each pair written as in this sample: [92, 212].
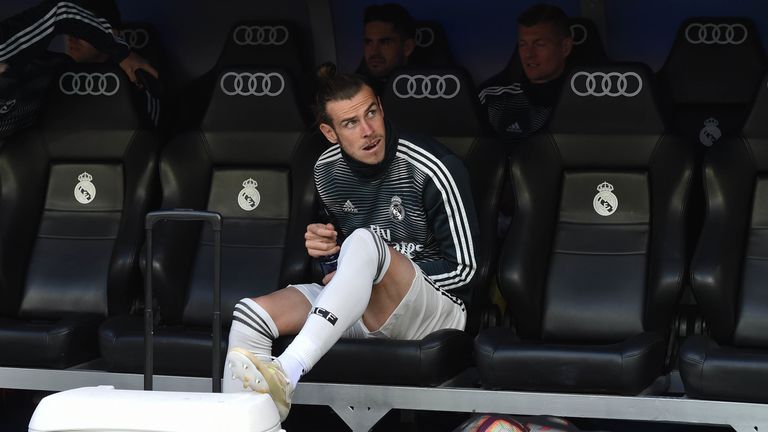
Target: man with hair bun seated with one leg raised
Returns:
[401, 229]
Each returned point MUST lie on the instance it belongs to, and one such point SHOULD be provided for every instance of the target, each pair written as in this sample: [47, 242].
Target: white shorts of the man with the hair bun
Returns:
[423, 310]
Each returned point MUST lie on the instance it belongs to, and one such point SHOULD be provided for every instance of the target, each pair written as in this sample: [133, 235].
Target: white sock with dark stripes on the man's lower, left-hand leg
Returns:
[252, 329]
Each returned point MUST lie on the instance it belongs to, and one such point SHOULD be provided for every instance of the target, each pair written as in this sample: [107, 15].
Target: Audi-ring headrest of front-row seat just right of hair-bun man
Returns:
[608, 99]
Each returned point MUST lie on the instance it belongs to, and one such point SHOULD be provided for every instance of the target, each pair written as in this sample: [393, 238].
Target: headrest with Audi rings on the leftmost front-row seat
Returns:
[96, 96]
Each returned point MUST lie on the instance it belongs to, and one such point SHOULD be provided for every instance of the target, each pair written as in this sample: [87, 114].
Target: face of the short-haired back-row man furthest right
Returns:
[542, 52]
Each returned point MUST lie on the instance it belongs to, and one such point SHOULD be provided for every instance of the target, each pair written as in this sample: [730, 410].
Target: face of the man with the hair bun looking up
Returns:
[358, 126]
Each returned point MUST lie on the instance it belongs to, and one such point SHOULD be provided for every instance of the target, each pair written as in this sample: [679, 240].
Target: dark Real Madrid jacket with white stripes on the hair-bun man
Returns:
[417, 199]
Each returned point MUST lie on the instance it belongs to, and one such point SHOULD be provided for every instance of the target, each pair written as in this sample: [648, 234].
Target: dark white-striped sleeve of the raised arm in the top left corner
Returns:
[25, 36]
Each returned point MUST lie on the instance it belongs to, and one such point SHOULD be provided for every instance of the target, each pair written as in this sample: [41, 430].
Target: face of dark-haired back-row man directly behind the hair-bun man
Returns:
[384, 48]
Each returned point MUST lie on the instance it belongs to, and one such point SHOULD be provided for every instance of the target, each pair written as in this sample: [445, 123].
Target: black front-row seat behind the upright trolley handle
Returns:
[251, 162]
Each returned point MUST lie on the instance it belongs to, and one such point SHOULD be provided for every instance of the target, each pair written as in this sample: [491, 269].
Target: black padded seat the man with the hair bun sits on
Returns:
[441, 355]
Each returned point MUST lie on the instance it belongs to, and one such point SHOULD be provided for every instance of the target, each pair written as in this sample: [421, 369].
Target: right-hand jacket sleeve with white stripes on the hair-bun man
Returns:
[451, 214]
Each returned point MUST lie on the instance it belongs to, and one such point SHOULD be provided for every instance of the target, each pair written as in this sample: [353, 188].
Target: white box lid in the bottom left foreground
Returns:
[103, 408]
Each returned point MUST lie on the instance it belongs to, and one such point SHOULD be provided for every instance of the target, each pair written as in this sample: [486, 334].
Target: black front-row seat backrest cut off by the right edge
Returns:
[728, 268]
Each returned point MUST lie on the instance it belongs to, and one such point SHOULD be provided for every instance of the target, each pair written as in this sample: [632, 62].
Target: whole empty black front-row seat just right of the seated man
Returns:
[594, 259]
